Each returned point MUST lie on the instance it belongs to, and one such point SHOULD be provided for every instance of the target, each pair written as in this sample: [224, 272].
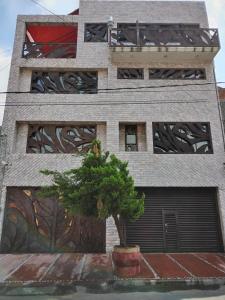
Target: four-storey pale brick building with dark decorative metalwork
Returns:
[133, 74]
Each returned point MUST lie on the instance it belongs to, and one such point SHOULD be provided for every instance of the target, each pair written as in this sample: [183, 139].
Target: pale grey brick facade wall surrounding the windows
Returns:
[178, 104]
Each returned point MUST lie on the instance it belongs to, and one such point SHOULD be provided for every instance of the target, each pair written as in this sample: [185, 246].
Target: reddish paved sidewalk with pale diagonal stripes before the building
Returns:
[98, 268]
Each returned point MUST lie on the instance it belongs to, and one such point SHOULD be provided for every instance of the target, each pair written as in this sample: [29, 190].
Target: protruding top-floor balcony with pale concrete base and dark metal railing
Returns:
[142, 41]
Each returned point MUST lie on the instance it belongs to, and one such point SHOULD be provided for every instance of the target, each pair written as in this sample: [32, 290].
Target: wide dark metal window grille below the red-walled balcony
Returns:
[67, 82]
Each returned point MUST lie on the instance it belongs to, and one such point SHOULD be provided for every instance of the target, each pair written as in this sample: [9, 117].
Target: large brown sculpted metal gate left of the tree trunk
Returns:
[33, 225]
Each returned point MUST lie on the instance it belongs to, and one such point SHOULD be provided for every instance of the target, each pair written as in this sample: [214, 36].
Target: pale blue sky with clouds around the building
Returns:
[11, 8]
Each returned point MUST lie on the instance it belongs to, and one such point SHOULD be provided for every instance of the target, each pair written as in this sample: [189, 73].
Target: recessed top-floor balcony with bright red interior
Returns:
[50, 41]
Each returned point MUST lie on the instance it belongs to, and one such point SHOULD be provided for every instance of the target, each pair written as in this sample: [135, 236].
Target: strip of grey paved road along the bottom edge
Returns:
[218, 294]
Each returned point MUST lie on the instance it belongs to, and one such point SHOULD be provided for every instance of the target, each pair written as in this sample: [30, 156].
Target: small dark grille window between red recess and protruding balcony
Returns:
[96, 32]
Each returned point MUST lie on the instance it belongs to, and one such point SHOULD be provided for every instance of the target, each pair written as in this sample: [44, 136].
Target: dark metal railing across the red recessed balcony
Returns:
[49, 50]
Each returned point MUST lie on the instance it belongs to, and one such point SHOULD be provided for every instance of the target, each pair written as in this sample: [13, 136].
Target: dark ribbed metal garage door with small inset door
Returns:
[178, 220]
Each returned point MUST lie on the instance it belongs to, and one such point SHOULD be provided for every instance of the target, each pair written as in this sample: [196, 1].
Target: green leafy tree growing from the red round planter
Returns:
[101, 187]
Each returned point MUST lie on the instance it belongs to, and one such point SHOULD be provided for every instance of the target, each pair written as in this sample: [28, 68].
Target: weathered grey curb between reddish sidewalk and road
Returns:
[61, 287]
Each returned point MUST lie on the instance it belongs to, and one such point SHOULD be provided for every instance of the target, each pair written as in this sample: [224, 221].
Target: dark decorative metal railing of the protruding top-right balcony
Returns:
[142, 36]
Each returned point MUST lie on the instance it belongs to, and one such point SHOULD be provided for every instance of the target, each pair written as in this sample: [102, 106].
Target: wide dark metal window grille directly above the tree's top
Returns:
[60, 139]
